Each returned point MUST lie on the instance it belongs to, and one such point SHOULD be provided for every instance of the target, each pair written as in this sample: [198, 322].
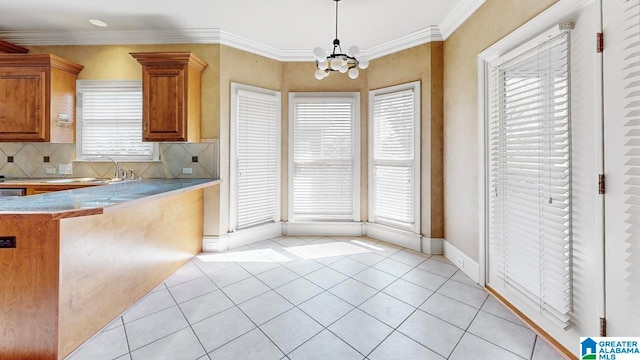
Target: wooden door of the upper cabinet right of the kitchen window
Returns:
[164, 104]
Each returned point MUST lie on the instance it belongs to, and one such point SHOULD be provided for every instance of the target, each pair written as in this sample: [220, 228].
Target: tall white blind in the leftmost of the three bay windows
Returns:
[256, 141]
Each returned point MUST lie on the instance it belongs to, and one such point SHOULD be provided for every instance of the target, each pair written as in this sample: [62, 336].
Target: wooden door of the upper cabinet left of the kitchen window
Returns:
[22, 104]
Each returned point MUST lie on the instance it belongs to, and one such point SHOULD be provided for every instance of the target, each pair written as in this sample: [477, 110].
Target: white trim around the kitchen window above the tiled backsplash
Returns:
[85, 85]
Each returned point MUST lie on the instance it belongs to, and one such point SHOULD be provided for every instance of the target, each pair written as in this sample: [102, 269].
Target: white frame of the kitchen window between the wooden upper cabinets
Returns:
[105, 86]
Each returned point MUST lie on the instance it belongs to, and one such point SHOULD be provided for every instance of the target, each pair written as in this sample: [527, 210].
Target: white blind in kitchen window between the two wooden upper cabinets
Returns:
[110, 119]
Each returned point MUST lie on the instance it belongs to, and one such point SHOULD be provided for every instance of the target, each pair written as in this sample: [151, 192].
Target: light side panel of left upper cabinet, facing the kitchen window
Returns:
[63, 102]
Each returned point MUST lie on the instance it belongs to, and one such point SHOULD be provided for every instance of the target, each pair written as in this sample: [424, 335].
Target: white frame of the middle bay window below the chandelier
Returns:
[350, 97]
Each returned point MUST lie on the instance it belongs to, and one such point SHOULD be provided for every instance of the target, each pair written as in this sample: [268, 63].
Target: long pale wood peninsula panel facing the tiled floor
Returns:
[108, 262]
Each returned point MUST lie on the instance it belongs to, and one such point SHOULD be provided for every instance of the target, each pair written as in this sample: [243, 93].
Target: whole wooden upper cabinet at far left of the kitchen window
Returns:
[37, 98]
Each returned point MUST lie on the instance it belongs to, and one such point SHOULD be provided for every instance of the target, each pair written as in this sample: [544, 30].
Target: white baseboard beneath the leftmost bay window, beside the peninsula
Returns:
[241, 238]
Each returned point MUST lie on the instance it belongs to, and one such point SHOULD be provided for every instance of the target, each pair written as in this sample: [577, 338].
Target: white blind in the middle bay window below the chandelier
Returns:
[324, 159]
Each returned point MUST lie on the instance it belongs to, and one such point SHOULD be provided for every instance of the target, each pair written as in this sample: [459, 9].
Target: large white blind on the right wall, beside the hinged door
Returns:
[529, 142]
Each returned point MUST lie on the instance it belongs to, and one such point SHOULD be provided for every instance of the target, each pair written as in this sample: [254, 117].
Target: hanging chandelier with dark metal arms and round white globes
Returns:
[337, 60]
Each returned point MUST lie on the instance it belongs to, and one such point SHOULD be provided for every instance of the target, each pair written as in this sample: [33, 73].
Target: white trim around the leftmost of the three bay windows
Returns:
[233, 176]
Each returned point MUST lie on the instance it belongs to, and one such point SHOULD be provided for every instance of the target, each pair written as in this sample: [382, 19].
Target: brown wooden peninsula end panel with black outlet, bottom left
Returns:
[29, 290]
